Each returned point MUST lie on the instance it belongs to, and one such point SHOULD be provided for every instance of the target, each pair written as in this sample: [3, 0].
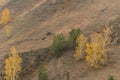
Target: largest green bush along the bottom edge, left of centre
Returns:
[42, 73]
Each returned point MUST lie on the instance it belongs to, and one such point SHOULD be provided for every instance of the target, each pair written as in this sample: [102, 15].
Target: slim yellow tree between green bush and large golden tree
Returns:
[79, 51]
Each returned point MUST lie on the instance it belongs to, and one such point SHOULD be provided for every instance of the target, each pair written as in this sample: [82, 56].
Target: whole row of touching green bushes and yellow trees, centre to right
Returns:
[94, 51]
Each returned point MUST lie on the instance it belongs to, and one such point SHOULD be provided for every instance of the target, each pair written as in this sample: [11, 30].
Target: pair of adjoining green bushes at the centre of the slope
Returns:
[60, 43]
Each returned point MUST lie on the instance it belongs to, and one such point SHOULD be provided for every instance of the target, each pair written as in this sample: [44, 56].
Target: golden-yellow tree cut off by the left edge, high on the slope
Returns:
[5, 16]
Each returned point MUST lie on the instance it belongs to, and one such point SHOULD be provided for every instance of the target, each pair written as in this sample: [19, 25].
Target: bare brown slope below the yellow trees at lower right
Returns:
[79, 70]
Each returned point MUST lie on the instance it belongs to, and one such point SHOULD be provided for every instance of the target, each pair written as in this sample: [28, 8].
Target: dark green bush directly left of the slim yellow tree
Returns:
[73, 34]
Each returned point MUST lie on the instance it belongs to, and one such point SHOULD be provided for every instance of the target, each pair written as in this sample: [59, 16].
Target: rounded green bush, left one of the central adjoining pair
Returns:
[58, 45]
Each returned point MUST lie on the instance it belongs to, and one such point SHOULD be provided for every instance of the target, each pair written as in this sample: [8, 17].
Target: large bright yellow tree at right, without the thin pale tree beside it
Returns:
[96, 54]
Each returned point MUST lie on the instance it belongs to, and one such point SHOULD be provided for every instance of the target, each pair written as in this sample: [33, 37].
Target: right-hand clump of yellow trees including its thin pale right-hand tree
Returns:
[96, 49]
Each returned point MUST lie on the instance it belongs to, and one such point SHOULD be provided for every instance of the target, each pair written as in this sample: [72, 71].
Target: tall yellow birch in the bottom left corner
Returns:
[12, 65]
